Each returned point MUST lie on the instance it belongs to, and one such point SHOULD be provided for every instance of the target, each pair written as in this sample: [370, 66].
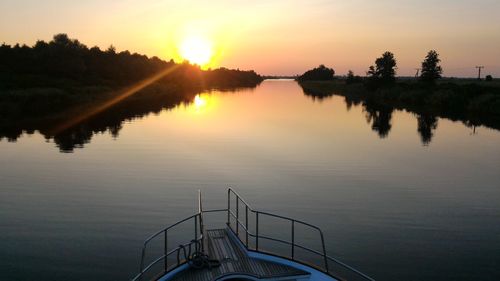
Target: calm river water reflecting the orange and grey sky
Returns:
[399, 199]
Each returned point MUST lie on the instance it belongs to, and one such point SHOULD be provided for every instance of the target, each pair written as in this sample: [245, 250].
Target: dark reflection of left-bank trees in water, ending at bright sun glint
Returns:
[111, 120]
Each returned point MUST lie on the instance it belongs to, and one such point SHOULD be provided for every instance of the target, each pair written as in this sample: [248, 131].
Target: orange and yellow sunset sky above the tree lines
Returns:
[275, 37]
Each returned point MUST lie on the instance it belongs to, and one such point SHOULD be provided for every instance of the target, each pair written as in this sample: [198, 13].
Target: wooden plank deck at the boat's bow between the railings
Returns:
[234, 260]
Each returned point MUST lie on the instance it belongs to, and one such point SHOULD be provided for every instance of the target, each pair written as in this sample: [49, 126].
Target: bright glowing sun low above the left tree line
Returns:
[197, 50]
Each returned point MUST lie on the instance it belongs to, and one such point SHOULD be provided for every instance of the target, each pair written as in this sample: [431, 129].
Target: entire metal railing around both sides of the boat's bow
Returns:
[198, 239]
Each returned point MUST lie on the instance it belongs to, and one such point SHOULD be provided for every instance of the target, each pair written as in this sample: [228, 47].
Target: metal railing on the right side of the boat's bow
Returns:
[257, 236]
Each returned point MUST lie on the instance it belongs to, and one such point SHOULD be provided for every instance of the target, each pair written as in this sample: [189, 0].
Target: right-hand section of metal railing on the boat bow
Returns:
[244, 225]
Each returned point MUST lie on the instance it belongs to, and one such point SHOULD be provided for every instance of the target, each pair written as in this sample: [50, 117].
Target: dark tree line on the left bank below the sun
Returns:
[64, 61]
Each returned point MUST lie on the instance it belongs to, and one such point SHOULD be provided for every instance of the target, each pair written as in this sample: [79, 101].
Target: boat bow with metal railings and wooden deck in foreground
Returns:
[237, 248]
